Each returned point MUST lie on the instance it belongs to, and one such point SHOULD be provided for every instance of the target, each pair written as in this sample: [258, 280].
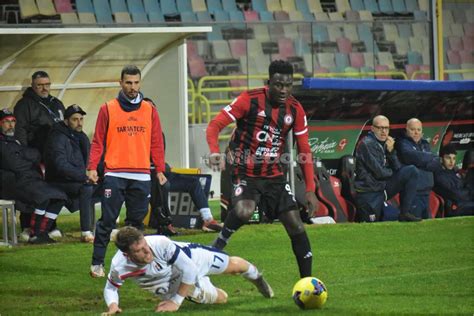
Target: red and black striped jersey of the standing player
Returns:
[259, 139]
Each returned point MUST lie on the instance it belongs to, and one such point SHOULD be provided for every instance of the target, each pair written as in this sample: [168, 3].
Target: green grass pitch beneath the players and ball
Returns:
[383, 268]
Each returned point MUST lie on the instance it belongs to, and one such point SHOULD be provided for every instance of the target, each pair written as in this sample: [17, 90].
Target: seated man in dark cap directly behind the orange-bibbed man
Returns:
[66, 156]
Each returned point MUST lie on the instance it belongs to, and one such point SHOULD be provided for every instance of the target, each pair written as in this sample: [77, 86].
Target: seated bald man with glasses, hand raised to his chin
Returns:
[380, 176]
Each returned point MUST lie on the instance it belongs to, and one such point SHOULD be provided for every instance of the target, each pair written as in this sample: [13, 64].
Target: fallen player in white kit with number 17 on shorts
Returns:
[173, 271]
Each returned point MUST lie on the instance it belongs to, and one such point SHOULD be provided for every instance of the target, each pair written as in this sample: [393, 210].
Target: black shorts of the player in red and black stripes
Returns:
[273, 194]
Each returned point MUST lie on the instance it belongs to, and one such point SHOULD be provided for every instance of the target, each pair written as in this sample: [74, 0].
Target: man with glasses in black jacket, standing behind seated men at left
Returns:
[37, 111]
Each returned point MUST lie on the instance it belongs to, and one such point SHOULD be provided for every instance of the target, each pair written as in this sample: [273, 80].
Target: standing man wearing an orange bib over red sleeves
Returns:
[128, 132]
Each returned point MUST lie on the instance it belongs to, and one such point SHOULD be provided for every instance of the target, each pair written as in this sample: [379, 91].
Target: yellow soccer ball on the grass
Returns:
[310, 293]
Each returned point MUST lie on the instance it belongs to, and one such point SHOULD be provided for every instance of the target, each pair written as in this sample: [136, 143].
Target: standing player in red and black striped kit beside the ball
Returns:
[264, 117]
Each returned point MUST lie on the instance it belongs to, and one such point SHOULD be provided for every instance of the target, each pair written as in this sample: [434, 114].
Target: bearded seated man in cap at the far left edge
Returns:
[28, 185]
